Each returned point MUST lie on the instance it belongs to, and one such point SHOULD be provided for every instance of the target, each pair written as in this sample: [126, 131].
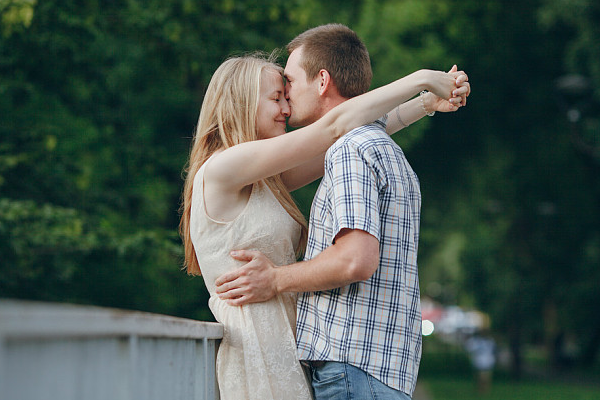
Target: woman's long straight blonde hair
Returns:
[228, 118]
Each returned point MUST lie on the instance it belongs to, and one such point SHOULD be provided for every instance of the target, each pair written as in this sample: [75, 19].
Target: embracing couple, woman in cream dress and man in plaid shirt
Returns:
[345, 322]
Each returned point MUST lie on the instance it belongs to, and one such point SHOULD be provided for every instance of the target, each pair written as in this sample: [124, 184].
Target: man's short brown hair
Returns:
[337, 49]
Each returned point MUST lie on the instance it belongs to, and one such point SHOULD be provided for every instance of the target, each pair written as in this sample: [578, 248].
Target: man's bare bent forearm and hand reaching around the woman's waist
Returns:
[353, 257]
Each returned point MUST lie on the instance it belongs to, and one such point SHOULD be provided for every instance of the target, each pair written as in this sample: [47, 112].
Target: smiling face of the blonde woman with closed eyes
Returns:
[273, 108]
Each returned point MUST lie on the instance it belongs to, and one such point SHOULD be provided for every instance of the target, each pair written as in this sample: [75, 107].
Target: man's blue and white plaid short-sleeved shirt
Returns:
[374, 325]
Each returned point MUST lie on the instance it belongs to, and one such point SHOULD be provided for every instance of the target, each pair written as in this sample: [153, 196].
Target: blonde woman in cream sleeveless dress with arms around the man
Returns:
[235, 197]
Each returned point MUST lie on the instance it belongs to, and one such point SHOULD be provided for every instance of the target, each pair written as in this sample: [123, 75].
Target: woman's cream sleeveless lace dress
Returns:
[257, 357]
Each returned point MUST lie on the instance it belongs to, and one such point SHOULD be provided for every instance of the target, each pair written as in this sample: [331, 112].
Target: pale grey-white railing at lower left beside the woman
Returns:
[67, 352]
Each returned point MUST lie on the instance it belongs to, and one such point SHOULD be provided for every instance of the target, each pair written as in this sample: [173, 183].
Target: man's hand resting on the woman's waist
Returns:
[251, 283]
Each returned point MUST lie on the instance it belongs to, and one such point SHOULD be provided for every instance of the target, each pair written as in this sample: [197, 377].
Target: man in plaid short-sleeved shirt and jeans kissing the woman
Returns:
[359, 318]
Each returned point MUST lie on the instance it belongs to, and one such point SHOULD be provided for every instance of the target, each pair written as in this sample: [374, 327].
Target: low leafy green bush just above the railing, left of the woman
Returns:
[58, 254]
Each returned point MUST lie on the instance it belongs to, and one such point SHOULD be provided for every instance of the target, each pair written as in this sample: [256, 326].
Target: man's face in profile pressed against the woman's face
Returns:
[302, 95]
